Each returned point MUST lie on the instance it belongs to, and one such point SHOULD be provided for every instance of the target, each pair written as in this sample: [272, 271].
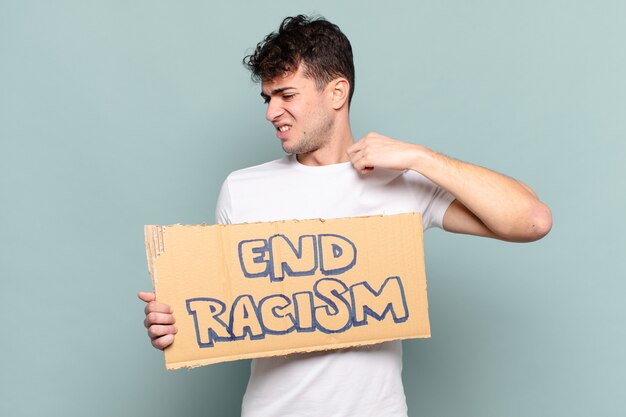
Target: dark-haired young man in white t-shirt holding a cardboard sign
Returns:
[307, 80]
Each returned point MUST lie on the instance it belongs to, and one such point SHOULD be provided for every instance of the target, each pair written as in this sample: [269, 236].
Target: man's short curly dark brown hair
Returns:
[315, 42]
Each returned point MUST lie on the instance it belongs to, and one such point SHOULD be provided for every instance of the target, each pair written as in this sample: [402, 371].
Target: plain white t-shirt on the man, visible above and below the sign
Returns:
[364, 381]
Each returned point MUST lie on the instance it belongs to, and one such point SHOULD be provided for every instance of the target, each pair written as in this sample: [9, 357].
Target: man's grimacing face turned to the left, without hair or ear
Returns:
[302, 115]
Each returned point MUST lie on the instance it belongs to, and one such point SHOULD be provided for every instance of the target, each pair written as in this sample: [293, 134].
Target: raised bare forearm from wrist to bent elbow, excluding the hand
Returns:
[507, 207]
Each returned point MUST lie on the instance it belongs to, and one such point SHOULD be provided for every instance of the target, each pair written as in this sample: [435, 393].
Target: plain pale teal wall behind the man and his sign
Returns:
[116, 114]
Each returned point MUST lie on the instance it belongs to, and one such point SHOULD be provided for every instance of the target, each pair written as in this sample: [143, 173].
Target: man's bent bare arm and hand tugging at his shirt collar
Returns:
[487, 203]
